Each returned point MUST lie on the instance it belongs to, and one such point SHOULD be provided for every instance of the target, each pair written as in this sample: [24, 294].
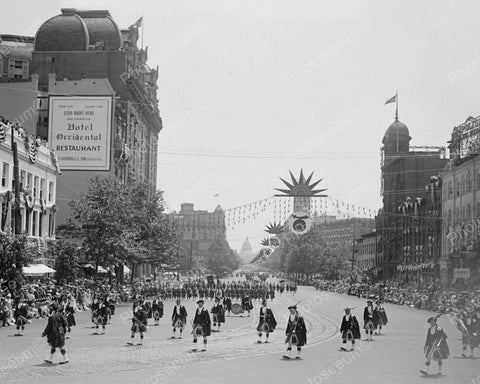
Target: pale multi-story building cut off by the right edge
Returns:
[461, 206]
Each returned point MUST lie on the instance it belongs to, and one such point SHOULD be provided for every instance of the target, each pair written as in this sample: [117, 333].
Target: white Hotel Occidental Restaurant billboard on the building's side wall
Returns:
[80, 130]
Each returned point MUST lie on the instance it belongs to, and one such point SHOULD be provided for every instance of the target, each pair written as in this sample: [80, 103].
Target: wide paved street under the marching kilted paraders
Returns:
[233, 355]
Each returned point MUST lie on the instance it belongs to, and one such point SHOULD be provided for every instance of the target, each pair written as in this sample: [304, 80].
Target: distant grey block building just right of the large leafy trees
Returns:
[197, 230]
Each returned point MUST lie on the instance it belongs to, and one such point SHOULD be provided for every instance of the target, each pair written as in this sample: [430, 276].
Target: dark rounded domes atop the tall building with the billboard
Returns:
[75, 30]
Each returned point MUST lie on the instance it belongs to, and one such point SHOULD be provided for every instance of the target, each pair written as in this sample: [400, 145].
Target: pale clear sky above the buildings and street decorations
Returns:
[249, 90]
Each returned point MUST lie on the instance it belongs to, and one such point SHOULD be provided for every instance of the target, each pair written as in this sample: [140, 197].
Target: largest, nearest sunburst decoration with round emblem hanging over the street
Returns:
[302, 191]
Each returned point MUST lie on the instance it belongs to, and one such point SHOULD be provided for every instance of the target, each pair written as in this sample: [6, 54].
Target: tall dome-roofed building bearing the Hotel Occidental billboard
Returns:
[99, 104]
